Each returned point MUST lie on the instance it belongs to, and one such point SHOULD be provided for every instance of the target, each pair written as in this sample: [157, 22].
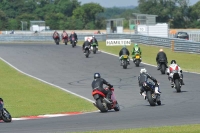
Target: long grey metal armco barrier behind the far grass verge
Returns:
[173, 43]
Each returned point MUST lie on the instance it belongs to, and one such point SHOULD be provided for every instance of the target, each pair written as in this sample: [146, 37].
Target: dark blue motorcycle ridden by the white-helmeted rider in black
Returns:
[152, 97]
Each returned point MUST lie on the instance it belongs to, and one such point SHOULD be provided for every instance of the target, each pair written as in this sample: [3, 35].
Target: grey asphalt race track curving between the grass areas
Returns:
[67, 67]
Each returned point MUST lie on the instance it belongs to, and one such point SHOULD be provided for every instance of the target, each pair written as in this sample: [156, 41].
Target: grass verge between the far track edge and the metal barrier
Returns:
[187, 61]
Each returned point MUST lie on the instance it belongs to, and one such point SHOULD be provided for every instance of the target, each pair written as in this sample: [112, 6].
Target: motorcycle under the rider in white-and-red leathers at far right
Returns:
[177, 81]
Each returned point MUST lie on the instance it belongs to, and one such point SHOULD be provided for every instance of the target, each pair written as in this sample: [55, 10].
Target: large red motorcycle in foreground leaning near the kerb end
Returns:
[102, 102]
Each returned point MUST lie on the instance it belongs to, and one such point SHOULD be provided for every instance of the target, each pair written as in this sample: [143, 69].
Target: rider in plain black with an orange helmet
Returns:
[161, 56]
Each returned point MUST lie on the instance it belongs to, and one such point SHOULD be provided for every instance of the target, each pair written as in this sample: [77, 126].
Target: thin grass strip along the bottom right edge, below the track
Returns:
[168, 129]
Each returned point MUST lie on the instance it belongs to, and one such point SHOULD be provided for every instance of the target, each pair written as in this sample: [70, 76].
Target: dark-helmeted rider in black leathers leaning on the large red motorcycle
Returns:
[98, 83]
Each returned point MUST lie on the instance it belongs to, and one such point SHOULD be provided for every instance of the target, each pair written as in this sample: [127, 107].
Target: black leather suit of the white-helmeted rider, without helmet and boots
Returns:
[143, 77]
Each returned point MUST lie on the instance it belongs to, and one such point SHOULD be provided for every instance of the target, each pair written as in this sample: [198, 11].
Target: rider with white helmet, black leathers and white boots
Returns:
[143, 77]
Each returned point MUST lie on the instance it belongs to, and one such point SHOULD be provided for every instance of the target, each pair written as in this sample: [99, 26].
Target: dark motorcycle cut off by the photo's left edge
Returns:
[4, 114]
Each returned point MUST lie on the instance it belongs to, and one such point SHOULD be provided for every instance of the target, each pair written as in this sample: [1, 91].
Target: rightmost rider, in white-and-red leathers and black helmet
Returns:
[174, 67]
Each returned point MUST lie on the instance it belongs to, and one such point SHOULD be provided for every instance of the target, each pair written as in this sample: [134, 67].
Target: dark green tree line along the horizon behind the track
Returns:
[70, 14]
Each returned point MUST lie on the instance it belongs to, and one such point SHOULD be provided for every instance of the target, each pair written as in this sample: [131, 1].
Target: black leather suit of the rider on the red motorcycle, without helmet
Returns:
[98, 84]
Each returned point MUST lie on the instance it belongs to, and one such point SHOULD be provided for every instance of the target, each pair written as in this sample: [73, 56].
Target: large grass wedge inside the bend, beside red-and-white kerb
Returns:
[25, 96]
